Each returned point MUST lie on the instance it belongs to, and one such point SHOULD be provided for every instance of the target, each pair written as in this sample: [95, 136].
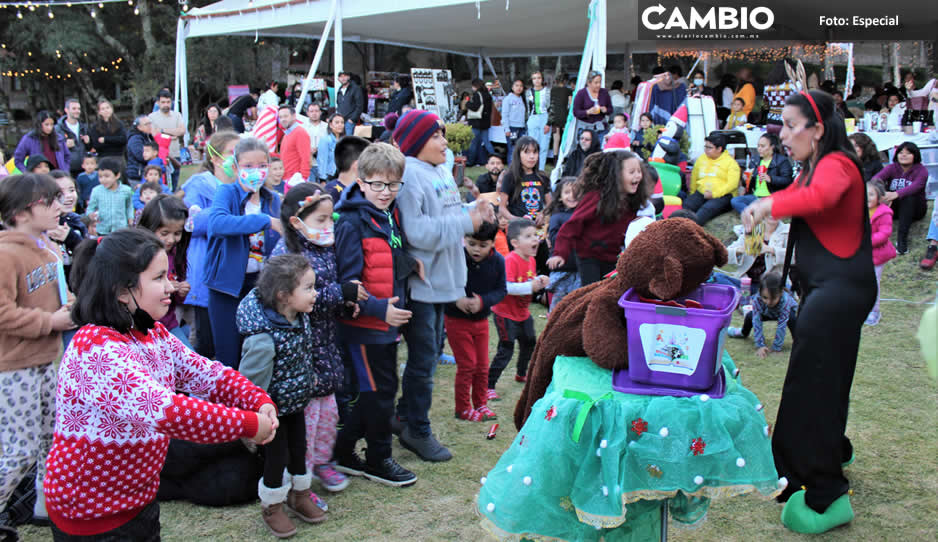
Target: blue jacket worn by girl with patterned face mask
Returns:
[226, 259]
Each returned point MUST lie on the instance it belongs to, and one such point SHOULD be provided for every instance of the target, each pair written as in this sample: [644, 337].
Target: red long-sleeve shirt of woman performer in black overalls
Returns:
[833, 205]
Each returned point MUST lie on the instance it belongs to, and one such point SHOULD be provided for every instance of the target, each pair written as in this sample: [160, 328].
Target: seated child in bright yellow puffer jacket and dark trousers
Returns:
[713, 181]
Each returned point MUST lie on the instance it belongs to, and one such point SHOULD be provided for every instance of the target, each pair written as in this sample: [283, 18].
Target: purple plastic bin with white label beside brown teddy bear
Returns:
[676, 347]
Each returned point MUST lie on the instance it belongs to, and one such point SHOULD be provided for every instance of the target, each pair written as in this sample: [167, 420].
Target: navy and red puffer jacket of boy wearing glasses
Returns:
[364, 252]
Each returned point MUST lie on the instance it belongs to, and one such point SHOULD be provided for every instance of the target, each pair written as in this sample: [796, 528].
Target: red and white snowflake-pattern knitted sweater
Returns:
[117, 409]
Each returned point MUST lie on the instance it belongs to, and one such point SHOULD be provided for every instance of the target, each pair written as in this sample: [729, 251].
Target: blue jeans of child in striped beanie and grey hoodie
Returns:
[423, 335]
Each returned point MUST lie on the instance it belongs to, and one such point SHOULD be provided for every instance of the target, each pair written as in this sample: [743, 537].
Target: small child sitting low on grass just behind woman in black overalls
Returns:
[772, 303]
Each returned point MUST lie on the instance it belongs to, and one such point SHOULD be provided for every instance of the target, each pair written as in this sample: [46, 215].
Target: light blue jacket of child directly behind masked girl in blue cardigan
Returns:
[200, 190]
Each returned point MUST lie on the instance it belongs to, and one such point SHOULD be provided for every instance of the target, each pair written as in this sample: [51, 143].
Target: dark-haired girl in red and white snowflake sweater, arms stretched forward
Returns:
[117, 406]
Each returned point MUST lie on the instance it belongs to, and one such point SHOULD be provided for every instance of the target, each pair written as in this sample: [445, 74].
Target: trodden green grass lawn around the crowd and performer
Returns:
[893, 425]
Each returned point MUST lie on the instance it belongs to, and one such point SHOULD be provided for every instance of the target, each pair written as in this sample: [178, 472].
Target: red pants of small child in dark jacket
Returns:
[469, 340]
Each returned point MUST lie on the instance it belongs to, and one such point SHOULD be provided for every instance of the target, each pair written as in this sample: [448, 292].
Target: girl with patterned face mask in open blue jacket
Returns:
[240, 223]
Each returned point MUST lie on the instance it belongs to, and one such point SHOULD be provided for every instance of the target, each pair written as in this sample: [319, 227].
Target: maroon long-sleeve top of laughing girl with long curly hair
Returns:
[585, 233]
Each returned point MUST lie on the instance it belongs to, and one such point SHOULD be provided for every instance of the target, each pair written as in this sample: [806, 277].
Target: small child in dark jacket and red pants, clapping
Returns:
[467, 323]
